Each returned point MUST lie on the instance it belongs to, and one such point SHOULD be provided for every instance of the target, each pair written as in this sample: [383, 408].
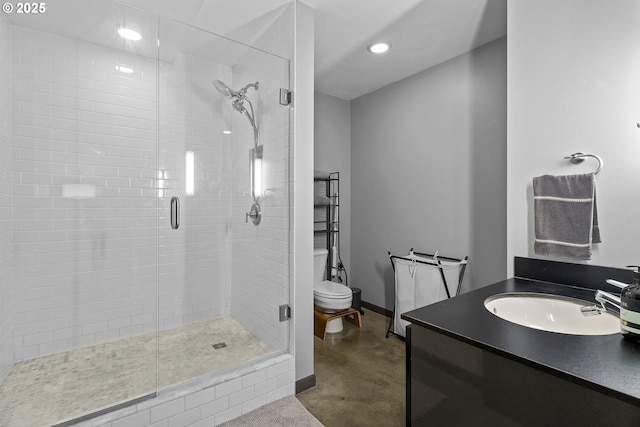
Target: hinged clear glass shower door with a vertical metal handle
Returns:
[221, 278]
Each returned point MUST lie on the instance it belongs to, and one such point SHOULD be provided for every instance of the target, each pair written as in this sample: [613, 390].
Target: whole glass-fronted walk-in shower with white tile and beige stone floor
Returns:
[127, 259]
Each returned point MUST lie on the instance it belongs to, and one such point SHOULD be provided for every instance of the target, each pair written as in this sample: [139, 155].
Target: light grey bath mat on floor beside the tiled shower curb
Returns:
[286, 412]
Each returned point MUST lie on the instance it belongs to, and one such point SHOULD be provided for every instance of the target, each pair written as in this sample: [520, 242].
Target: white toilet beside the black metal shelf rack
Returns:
[329, 297]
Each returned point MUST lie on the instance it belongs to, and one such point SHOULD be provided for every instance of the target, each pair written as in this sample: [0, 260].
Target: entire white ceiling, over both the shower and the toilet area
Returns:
[423, 33]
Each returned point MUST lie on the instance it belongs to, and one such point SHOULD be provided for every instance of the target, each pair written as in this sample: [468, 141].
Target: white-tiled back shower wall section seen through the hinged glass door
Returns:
[193, 272]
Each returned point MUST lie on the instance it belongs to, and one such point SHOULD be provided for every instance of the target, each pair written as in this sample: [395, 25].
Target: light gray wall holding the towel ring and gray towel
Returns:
[573, 87]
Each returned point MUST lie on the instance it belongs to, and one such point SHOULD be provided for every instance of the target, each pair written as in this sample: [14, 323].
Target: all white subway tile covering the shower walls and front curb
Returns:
[89, 160]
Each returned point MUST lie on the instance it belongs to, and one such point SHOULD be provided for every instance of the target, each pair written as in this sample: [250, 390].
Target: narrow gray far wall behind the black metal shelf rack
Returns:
[332, 153]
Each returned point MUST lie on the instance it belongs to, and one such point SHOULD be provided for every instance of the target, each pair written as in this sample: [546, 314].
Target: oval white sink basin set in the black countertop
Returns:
[551, 313]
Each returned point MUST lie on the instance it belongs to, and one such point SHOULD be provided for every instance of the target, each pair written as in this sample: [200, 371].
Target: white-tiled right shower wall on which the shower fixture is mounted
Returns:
[261, 259]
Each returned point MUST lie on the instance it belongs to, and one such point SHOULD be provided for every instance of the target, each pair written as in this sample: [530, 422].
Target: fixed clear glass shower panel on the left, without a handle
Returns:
[83, 289]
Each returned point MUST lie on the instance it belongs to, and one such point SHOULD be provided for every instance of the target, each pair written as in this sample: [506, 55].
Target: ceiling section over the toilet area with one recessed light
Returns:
[423, 33]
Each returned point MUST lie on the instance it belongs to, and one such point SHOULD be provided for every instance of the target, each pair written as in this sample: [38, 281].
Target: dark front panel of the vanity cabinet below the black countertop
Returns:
[454, 383]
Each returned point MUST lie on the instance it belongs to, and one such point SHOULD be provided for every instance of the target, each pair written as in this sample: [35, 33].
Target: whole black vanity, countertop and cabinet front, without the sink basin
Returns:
[467, 367]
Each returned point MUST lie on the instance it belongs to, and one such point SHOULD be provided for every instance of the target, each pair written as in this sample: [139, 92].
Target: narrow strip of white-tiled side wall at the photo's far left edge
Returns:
[6, 331]
